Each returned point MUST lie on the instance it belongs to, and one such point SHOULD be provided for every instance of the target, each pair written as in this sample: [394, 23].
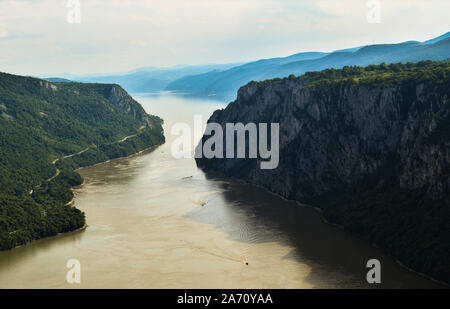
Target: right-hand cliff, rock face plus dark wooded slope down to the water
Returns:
[341, 135]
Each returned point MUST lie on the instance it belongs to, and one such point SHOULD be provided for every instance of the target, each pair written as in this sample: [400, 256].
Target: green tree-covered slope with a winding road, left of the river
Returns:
[42, 125]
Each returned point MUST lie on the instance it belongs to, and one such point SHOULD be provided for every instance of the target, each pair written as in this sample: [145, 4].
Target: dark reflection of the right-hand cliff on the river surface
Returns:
[252, 215]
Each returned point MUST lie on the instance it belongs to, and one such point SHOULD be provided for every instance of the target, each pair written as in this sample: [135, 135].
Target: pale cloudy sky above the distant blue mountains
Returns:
[40, 37]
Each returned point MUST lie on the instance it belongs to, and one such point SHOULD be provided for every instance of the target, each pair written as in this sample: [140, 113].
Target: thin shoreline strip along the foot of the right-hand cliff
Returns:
[320, 212]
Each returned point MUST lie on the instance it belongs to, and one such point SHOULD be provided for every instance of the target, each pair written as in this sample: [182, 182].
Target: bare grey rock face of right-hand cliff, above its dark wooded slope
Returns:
[333, 136]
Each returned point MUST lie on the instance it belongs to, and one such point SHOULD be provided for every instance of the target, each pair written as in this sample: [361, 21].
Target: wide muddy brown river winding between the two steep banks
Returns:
[159, 222]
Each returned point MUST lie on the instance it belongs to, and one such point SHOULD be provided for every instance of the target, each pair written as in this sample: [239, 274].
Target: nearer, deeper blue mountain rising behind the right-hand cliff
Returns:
[224, 84]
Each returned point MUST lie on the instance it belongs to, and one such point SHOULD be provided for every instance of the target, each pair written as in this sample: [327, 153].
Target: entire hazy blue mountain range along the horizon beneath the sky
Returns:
[223, 80]
